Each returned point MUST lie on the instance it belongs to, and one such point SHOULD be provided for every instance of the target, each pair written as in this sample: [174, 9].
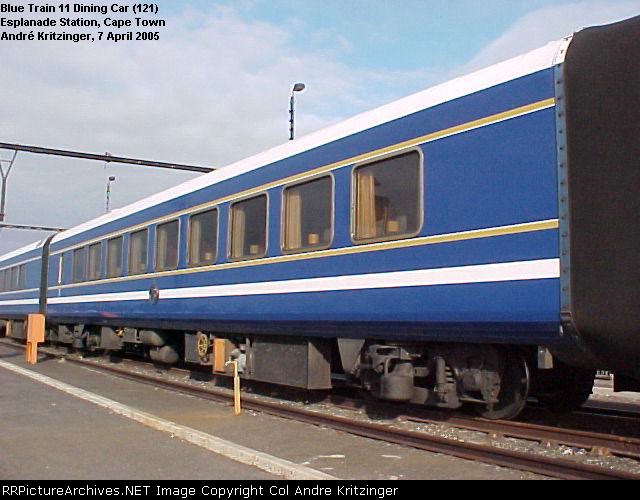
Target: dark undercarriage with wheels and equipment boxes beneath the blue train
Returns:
[495, 381]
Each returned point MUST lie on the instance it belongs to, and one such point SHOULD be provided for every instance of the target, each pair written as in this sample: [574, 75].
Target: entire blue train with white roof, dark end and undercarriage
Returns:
[474, 243]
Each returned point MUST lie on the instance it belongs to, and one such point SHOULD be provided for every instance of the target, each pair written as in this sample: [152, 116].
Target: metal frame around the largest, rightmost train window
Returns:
[421, 207]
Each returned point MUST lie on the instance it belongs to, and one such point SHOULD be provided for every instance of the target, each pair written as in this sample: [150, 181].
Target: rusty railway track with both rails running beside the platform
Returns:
[562, 468]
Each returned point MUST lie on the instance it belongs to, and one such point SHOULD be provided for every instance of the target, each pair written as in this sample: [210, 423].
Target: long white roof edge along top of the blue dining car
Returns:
[545, 57]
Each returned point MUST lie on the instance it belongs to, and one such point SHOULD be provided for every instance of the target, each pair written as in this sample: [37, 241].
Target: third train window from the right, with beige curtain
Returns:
[249, 228]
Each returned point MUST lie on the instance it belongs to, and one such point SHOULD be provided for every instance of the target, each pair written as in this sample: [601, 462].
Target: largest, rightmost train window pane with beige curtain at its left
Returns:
[388, 198]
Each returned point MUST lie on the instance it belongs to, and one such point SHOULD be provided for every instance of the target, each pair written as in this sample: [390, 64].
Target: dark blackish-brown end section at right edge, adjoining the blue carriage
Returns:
[602, 73]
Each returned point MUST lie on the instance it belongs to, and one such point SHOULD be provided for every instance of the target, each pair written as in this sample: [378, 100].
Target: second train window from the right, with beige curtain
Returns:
[308, 215]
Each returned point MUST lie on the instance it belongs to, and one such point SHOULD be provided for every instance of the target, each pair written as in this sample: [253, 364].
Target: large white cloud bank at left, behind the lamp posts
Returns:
[214, 89]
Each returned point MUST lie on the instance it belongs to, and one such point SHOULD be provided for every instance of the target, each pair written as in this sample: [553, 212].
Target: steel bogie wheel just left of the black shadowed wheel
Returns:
[514, 389]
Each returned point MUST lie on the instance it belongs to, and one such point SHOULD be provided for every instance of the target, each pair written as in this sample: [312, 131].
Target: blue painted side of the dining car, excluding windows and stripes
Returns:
[495, 175]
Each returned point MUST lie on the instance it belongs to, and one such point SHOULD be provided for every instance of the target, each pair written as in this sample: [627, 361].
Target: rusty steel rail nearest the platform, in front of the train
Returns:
[531, 462]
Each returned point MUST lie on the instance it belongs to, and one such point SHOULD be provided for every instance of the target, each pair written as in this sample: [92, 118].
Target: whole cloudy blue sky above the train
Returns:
[215, 88]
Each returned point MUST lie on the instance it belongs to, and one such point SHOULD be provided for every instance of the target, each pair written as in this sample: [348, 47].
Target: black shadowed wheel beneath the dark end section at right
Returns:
[564, 389]
